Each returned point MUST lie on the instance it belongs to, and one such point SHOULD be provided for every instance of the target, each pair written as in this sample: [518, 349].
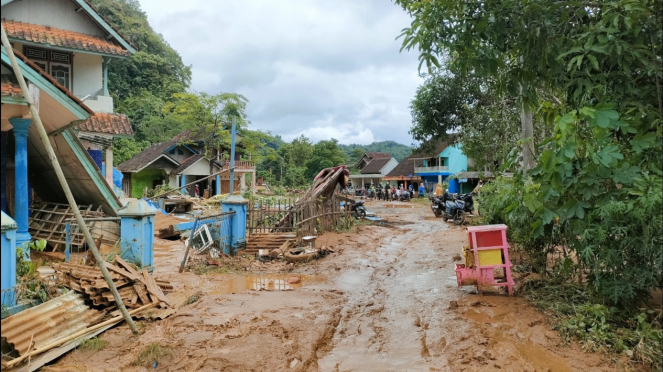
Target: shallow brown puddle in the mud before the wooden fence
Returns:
[227, 284]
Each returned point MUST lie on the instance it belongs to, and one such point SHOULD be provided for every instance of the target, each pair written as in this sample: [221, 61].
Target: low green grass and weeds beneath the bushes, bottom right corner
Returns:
[577, 314]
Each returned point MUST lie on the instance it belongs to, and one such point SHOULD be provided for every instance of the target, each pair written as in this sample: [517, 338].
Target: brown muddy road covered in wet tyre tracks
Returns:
[387, 300]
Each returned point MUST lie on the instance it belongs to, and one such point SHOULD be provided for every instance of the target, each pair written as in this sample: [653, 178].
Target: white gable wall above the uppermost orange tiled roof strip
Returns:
[55, 13]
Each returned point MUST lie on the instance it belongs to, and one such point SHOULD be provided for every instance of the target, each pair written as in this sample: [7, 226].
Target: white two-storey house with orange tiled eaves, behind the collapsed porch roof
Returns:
[70, 41]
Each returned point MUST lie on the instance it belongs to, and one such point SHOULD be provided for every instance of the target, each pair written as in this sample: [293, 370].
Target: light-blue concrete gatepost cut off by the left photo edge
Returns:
[8, 261]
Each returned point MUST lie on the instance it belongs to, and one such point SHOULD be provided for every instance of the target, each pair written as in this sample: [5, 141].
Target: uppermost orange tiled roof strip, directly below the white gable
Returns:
[62, 38]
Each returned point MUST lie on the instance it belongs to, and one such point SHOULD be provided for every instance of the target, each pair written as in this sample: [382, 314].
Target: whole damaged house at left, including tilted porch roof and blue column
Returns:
[62, 48]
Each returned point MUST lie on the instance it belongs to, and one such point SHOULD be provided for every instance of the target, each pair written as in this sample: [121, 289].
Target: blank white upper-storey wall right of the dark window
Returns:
[88, 75]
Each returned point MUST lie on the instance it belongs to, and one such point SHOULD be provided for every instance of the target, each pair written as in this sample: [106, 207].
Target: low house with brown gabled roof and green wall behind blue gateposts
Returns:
[179, 162]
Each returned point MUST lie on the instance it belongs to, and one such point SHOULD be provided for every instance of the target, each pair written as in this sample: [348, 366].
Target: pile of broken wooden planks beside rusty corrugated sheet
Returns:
[136, 288]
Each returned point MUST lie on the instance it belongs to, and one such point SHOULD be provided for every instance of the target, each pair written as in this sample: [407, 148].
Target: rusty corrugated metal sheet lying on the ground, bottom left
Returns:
[48, 322]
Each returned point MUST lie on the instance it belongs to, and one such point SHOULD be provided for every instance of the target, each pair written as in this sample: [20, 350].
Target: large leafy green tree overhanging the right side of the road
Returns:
[591, 72]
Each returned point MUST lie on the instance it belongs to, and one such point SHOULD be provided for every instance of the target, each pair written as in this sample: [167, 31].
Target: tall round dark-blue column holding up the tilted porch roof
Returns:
[21, 206]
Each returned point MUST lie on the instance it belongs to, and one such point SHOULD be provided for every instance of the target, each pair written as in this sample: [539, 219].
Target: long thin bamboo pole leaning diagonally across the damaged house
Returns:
[63, 182]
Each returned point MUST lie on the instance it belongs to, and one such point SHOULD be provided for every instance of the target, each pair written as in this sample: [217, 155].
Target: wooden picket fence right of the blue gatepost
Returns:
[309, 218]
